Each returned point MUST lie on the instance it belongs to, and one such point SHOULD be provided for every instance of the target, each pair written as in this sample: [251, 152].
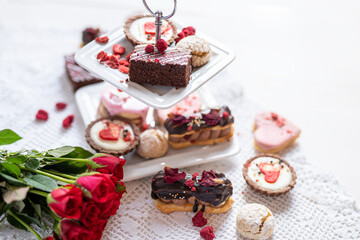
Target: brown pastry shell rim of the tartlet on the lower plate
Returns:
[99, 149]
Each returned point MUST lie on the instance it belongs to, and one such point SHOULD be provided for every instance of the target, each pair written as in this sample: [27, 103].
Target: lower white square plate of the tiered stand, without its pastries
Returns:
[88, 98]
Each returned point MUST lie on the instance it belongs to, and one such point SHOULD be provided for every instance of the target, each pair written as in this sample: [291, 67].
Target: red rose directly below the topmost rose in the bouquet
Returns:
[101, 188]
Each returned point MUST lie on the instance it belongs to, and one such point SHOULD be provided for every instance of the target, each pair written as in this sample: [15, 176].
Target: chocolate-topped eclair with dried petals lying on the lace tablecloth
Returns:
[173, 191]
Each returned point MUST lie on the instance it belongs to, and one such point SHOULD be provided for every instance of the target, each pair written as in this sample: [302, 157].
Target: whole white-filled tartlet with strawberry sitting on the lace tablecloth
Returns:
[269, 174]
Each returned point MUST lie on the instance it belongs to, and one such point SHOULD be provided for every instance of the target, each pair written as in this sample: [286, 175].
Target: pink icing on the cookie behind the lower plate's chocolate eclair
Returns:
[190, 104]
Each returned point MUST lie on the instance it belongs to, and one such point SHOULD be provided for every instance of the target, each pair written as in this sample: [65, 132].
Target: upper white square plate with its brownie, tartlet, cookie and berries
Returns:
[159, 78]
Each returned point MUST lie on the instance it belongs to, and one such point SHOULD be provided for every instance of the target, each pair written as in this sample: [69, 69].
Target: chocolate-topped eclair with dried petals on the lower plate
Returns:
[206, 127]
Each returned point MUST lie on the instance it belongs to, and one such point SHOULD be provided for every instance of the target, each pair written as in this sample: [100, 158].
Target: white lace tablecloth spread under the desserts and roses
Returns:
[32, 76]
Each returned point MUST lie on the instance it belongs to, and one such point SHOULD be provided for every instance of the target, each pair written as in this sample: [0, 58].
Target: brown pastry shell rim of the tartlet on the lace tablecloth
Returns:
[265, 191]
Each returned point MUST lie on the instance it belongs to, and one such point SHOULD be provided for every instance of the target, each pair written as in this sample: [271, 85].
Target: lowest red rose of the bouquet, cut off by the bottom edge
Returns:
[71, 230]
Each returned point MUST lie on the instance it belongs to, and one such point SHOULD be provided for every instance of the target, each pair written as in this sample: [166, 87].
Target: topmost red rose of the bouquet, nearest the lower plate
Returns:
[114, 165]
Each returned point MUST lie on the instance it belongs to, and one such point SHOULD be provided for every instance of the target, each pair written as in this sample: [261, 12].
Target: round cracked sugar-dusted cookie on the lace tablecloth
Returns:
[255, 221]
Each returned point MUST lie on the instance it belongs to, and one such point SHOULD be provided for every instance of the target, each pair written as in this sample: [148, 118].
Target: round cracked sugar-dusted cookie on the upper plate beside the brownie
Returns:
[200, 49]
